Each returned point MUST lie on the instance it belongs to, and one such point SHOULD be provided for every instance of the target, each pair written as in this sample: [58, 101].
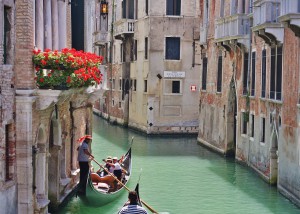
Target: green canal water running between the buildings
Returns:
[178, 176]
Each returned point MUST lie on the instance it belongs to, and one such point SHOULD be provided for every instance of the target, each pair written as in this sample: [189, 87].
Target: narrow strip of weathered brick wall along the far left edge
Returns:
[8, 178]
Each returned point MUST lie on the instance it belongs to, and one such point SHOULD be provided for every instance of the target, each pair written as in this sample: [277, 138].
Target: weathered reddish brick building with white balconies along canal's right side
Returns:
[249, 98]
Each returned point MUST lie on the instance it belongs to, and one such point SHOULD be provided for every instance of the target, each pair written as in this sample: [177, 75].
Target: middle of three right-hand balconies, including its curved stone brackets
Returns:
[265, 21]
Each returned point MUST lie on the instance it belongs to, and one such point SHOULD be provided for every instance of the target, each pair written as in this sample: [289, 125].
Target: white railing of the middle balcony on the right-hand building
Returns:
[266, 12]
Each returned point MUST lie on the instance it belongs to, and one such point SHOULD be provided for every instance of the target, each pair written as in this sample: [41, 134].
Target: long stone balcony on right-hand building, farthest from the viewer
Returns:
[235, 28]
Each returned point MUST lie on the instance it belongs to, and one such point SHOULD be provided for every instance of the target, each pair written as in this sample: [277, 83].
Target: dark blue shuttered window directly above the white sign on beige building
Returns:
[172, 48]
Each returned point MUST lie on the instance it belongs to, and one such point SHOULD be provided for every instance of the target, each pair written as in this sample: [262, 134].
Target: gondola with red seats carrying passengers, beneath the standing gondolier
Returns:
[100, 193]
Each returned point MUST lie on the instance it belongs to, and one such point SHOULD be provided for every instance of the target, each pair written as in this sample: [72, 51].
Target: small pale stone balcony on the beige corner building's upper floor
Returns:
[123, 28]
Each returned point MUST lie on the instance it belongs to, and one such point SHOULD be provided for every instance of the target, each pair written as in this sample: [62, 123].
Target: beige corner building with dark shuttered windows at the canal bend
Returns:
[154, 72]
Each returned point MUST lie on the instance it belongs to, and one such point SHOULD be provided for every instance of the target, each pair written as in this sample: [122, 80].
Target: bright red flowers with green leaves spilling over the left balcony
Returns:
[67, 68]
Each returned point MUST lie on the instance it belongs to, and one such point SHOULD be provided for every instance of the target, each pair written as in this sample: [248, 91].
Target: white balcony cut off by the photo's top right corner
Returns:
[290, 15]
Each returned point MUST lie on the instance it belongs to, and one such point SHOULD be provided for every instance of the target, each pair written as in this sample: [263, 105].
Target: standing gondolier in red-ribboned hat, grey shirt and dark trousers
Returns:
[83, 159]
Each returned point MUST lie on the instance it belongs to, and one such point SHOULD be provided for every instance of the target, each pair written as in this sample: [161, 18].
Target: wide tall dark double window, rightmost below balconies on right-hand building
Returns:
[276, 73]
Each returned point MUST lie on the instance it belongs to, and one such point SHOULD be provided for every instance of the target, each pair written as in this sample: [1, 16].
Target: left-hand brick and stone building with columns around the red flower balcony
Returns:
[39, 128]
